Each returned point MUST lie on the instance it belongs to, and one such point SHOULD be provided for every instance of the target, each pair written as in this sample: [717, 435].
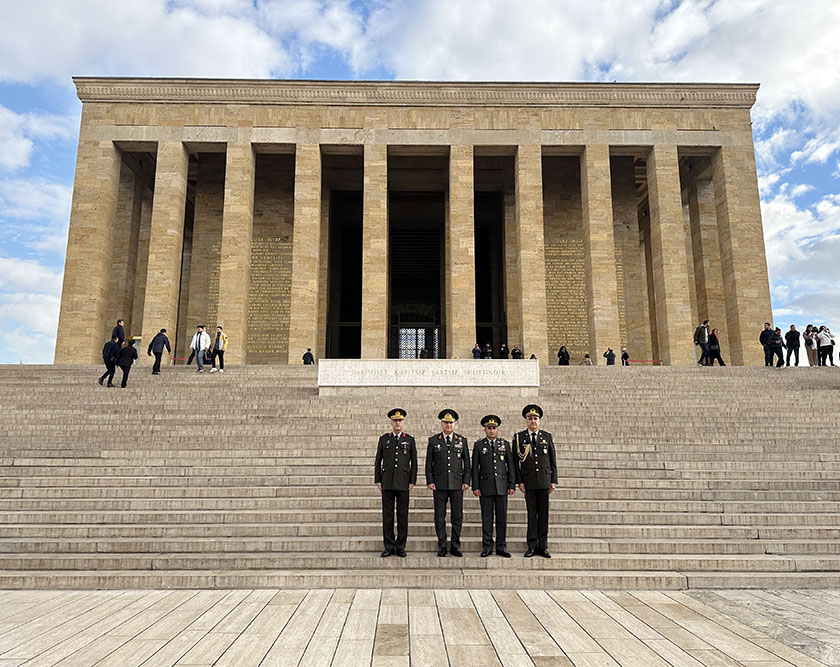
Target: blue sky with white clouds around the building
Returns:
[791, 47]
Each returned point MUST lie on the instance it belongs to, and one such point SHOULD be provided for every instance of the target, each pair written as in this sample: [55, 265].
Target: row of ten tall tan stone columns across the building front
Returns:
[724, 216]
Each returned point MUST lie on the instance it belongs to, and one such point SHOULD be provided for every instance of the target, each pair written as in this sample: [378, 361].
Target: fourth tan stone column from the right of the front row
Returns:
[531, 265]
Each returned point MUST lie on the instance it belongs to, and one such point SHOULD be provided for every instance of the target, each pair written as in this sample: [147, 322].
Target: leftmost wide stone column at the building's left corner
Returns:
[82, 329]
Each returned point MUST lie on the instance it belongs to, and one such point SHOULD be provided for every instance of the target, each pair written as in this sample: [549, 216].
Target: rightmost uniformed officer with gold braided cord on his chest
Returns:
[536, 475]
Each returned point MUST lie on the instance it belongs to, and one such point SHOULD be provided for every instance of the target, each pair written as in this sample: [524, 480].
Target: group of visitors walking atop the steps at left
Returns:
[202, 349]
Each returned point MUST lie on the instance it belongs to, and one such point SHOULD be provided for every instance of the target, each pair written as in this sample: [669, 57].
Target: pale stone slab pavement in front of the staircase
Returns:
[383, 627]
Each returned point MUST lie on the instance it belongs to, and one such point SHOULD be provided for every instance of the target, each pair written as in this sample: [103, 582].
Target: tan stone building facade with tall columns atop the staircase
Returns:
[625, 214]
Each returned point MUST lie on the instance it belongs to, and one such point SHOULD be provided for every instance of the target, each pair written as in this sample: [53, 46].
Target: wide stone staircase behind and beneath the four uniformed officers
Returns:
[668, 478]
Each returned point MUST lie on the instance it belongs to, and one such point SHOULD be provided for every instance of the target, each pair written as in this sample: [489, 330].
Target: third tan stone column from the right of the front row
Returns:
[599, 250]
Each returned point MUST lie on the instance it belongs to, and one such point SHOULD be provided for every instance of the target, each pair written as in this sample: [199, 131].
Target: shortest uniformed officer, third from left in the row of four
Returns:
[493, 480]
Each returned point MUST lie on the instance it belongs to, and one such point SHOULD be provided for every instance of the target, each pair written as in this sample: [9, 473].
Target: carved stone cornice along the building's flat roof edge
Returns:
[414, 93]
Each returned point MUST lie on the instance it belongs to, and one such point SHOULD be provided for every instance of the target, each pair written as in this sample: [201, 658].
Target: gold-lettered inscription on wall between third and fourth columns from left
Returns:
[269, 299]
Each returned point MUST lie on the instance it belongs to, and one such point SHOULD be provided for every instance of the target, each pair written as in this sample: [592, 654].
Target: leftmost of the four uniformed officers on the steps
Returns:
[395, 474]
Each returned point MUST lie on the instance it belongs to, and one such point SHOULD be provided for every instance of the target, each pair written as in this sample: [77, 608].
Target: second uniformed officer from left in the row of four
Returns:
[447, 475]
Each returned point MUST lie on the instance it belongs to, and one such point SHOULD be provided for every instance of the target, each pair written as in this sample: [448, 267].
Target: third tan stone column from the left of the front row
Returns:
[235, 262]
